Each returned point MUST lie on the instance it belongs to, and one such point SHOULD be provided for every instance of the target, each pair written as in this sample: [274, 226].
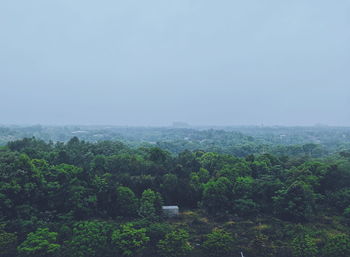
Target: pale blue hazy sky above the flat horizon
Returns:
[150, 63]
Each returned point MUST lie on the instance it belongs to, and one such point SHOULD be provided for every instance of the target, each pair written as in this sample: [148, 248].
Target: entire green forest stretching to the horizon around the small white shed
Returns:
[251, 191]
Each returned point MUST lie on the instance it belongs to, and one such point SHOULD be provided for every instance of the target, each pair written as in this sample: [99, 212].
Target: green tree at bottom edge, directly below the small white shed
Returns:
[175, 244]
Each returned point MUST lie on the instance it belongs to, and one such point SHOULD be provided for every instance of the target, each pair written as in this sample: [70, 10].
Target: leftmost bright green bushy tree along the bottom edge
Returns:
[41, 243]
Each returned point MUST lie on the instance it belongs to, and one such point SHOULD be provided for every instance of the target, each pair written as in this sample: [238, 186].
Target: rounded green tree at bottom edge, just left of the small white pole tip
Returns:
[219, 243]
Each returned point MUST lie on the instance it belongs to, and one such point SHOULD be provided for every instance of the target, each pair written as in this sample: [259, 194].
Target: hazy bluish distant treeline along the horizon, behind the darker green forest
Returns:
[238, 141]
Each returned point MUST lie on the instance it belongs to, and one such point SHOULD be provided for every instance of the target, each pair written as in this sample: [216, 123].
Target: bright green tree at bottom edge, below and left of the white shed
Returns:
[129, 241]
